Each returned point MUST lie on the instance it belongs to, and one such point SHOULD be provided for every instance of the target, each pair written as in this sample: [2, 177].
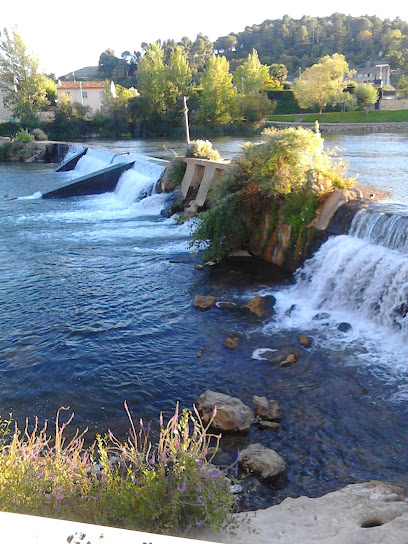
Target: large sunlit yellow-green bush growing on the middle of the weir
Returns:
[289, 171]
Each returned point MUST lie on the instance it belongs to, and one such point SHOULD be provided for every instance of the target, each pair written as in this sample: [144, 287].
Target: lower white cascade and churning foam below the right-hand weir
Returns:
[350, 280]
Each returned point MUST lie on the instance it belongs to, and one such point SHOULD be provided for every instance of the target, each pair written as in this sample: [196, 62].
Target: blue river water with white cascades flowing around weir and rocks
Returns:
[96, 296]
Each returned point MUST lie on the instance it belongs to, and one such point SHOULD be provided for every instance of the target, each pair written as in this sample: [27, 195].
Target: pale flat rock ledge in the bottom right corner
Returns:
[367, 513]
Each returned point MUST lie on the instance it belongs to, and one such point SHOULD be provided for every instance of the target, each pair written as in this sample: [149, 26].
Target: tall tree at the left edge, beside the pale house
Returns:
[25, 88]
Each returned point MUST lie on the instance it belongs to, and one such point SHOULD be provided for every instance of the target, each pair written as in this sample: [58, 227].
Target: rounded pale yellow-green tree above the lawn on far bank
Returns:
[323, 83]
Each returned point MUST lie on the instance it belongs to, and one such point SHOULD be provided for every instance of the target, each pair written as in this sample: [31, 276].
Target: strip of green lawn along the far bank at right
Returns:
[377, 116]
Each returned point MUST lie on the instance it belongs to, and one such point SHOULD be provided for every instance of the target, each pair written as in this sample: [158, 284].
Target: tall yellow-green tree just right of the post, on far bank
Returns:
[217, 95]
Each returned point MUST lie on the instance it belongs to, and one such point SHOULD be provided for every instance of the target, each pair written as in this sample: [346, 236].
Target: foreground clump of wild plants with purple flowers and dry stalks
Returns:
[132, 484]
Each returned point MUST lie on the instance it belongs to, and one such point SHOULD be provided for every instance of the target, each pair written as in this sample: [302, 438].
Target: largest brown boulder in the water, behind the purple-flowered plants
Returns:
[232, 415]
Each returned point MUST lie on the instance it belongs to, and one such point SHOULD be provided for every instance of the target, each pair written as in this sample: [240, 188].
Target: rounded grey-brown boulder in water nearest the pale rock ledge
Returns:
[263, 462]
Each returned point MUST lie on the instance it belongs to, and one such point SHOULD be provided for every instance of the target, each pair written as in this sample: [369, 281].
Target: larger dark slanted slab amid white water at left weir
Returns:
[102, 181]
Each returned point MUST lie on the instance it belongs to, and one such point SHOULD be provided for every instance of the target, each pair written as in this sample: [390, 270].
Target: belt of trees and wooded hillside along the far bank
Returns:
[232, 83]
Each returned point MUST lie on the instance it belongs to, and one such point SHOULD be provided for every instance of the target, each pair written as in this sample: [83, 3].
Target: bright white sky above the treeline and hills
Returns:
[67, 36]
